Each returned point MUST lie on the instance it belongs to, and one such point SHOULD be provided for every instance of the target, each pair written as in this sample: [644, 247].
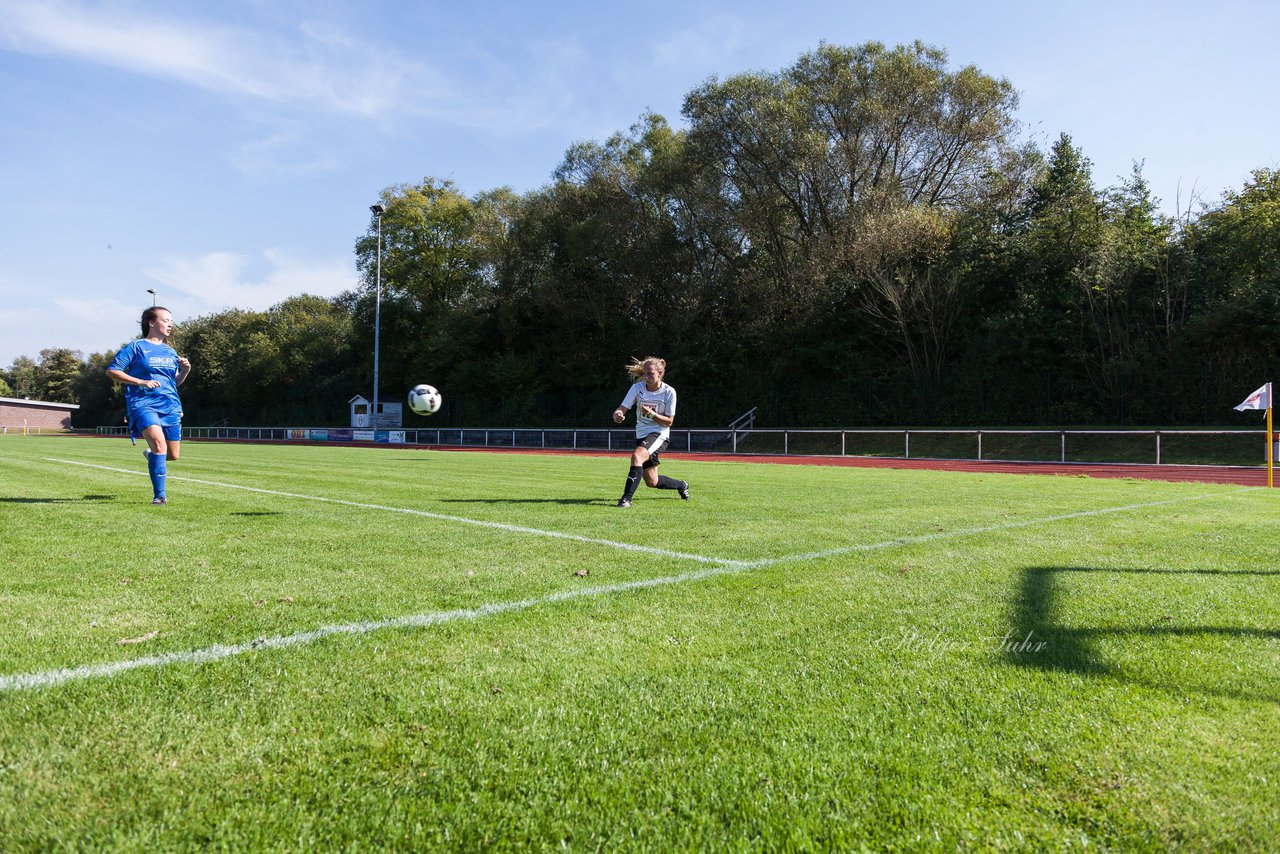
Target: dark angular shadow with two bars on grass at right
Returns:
[1040, 642]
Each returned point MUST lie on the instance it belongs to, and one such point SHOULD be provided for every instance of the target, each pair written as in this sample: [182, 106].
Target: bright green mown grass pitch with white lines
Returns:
[344, 649]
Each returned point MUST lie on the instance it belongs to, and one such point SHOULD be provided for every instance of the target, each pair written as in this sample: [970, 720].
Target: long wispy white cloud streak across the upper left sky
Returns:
[314, 66]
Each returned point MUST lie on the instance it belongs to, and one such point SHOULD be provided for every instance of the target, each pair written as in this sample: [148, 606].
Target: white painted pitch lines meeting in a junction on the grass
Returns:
[53, 678]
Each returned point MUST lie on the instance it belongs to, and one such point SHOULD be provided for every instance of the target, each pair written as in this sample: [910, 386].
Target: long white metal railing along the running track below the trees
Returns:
[1139, 447]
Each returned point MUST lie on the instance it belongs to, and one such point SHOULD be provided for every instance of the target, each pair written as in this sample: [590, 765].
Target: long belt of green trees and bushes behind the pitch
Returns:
[856, 239]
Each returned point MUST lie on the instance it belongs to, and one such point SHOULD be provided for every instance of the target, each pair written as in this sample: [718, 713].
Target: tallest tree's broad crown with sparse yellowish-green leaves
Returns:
[807, 154]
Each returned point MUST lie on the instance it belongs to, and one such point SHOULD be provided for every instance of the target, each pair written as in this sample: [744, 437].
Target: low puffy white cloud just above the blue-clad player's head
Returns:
[220, 281]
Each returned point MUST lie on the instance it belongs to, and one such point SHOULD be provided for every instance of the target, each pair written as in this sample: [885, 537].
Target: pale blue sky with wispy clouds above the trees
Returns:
[226, 154]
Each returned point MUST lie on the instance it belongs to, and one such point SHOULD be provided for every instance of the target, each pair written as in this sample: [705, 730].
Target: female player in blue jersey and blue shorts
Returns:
[152, 372]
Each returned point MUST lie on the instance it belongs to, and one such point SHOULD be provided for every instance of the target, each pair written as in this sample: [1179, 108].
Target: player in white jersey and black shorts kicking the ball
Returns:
[655, 417]
